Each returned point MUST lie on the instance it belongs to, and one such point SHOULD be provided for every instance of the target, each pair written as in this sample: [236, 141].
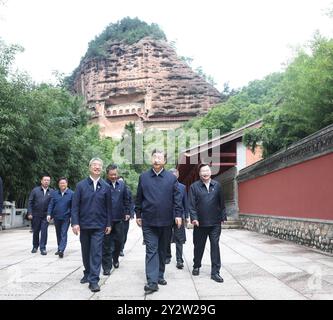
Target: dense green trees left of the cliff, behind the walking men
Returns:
[43, 128]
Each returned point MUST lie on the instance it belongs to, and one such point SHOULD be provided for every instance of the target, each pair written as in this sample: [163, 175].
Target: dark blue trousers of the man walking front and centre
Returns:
[156, 240]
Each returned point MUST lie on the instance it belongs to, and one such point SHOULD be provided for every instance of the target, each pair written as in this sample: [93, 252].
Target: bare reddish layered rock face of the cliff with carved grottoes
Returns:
[145, 83]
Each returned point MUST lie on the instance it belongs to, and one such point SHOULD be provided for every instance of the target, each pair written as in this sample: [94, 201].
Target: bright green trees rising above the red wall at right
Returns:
[307, 104]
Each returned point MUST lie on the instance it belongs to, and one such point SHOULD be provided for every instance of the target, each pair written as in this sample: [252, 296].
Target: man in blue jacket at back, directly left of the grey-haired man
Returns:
[60, 211]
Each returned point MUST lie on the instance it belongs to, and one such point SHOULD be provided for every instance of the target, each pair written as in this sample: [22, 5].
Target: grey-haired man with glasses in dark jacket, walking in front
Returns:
[92, 218]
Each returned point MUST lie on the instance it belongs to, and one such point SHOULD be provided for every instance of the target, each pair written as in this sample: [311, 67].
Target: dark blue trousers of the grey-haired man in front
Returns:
[91, 248]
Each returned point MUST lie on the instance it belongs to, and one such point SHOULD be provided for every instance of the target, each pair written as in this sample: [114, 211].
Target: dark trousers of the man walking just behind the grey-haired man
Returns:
[112, 244]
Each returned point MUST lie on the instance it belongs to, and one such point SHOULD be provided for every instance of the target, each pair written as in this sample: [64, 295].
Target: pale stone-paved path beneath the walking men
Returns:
[255, 266]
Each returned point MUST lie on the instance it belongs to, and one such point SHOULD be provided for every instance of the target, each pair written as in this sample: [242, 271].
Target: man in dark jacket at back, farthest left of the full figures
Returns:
[39, 200]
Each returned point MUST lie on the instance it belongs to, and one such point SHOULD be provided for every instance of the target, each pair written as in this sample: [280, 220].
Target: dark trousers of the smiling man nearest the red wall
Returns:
[200, 235]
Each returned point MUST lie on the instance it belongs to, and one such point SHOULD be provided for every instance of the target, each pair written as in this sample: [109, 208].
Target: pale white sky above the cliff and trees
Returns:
[234, 41]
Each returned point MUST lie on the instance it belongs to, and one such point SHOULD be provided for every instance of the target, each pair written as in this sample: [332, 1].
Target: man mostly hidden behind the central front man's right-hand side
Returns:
[178, 234]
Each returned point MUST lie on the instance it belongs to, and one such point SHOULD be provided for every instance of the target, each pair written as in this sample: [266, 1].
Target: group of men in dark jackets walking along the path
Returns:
[100, 210]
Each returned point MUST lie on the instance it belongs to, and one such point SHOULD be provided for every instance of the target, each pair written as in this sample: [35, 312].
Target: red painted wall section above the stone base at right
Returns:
[304, 190]
